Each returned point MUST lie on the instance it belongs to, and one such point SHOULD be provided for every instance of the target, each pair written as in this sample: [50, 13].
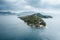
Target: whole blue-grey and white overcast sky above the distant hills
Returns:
[47, 6]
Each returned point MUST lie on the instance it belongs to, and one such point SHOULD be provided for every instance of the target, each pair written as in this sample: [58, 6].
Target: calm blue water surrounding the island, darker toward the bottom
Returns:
[12, 28]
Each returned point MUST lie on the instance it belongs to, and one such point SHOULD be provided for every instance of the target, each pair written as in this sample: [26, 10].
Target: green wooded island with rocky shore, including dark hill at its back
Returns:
[35, 20]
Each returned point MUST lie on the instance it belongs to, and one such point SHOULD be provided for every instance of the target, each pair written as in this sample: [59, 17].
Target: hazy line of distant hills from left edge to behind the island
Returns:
[25, 14]
